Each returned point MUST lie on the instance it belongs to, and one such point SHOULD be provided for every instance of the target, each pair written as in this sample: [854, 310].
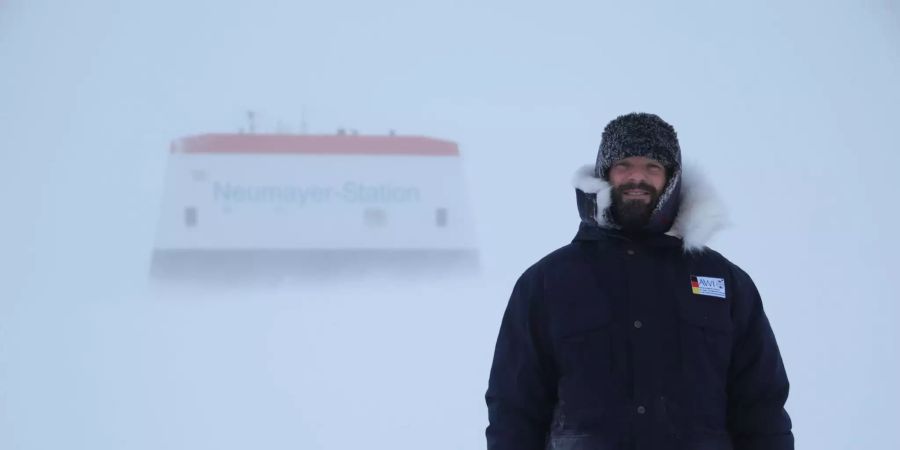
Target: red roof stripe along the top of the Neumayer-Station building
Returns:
[315, 144]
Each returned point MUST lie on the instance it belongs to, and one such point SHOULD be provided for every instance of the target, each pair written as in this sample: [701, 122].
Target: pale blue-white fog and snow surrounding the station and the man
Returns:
[790, 108]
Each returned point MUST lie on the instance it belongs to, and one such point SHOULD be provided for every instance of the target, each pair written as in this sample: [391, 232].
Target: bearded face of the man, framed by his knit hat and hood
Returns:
[637, 184]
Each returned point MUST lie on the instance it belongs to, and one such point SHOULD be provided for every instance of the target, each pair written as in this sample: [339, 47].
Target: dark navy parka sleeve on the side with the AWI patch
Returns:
[758, 384]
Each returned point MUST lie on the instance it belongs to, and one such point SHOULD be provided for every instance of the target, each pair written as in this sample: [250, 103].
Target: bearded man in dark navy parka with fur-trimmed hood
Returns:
[636, 336]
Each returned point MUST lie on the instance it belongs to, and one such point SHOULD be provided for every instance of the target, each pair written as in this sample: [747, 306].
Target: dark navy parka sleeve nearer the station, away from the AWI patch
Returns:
[521, 392]
